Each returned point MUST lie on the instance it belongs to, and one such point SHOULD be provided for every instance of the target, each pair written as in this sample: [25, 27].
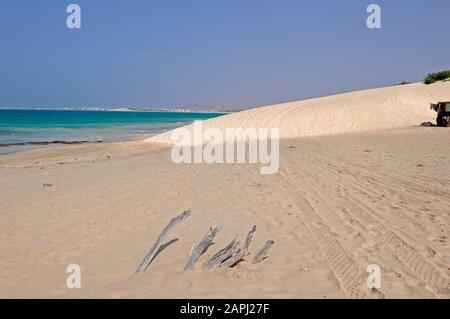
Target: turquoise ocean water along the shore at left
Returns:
[25, 126]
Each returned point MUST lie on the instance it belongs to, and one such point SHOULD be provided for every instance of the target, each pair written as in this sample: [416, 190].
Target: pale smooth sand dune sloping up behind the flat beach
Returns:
[375, 109]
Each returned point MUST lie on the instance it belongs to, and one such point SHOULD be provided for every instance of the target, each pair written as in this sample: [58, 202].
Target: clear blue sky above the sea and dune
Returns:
[168, 53]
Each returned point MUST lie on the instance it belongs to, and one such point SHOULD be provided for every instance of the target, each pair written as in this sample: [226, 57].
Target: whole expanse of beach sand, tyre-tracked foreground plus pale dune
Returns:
[360, 182]
